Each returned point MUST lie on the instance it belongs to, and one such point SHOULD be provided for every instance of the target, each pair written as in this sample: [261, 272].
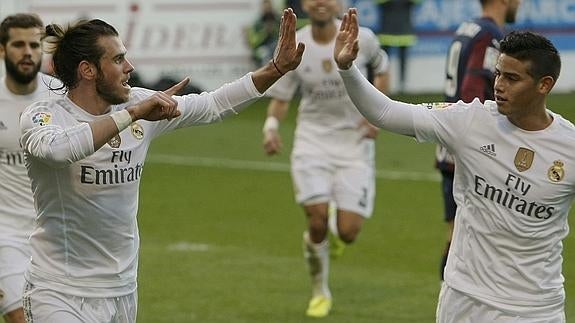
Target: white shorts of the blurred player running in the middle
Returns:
[350, 186]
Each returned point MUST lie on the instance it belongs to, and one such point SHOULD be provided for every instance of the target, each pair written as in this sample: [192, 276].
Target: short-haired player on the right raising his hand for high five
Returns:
[505, 262]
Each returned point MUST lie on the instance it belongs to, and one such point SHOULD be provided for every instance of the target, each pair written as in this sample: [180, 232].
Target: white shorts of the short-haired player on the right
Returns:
[457, 307]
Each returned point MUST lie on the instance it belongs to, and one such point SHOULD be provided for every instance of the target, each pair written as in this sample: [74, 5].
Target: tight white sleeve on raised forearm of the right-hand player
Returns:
[380, 110]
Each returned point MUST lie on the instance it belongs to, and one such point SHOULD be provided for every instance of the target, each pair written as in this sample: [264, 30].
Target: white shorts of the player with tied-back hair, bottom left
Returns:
[43, 305]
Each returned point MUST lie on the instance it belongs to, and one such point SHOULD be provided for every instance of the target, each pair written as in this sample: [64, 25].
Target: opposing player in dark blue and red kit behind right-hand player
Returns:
[470, 74]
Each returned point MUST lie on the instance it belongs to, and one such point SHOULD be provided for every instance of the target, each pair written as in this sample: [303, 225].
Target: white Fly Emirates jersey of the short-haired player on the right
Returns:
[513, 188]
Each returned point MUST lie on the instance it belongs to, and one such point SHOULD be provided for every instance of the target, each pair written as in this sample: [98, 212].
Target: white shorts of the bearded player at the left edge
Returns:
[13, 263]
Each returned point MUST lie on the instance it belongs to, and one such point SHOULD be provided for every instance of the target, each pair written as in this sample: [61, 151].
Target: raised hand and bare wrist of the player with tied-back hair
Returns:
[287, 55]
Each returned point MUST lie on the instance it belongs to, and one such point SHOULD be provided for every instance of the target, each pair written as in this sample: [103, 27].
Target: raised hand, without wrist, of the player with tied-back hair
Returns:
[287, 54]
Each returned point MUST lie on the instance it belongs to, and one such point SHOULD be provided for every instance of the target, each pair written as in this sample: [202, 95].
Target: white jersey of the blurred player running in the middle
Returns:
[328, 124]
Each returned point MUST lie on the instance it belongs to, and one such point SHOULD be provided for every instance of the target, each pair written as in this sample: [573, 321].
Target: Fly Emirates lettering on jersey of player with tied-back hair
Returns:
[91, 174]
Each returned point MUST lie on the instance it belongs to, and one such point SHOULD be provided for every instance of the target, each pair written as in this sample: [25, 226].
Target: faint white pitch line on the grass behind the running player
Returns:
[275, 166]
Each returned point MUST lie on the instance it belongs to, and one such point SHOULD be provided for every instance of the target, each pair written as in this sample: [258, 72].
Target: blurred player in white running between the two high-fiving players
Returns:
[333, 155]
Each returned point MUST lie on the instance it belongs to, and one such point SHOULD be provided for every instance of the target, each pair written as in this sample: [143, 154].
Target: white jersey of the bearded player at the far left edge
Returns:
[16, 203]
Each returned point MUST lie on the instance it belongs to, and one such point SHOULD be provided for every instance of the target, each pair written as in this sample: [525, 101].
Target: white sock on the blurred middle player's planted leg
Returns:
[317, 257]
